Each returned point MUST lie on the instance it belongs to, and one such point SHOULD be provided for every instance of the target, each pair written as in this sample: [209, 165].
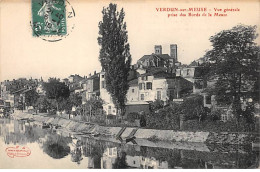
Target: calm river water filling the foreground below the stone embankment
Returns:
[62, 149]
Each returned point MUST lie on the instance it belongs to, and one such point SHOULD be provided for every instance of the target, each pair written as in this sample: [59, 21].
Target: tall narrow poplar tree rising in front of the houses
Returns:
[114, 54]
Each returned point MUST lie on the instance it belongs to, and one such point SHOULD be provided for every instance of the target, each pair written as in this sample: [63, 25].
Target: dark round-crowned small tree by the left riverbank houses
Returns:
[56, 90]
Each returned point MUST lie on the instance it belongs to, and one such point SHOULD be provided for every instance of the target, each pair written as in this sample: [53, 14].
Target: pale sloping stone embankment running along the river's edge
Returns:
[139, 133]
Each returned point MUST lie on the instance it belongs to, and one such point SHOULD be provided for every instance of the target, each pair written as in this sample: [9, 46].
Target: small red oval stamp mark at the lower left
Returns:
[18, 151]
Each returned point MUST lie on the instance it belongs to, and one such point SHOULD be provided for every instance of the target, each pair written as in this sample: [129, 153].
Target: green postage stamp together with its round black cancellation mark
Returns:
[52, 20]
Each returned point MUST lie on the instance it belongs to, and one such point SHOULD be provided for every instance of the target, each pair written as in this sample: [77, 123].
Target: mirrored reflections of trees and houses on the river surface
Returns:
[86, 152]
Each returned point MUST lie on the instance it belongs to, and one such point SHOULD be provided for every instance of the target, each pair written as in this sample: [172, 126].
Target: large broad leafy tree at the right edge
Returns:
[234, 62]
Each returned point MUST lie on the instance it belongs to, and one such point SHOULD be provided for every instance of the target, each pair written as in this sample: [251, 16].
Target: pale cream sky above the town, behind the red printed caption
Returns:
[23, 55]
